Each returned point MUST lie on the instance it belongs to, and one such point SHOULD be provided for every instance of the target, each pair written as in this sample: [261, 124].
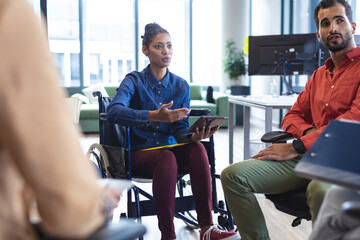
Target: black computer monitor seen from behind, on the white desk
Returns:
[293, 54]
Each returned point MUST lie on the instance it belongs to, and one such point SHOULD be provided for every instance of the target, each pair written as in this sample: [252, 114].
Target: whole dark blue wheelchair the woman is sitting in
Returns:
[113, 157]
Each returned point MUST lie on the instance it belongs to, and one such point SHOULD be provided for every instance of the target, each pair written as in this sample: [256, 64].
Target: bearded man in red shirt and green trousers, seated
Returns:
[332, 92]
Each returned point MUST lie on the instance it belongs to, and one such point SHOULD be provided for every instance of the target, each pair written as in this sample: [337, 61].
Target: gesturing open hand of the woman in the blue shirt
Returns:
[163, 114]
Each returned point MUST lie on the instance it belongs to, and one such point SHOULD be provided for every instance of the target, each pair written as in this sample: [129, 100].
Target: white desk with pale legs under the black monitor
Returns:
[266, 102]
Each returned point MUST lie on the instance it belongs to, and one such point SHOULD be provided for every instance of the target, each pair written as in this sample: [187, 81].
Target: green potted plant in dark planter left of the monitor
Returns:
[235, 67]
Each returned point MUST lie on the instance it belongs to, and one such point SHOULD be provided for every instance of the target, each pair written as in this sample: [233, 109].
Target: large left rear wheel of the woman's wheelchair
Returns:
[97, 154]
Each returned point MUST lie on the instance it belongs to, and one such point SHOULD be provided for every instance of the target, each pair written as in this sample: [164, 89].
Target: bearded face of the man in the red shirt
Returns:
[335, 30]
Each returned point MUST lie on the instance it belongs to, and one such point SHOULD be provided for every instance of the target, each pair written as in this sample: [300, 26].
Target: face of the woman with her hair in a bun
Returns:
[159, 51]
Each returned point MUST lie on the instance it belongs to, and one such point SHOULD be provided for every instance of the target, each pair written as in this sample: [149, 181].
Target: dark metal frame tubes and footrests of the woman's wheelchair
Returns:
[183, 204]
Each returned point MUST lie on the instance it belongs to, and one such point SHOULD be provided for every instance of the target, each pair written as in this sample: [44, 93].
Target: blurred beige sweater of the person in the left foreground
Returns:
[40, 154]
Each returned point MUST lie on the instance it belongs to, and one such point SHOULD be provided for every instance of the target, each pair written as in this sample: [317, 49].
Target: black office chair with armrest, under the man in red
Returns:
[293, 202]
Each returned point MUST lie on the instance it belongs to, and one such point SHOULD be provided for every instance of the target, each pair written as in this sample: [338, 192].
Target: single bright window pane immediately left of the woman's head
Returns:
[108, 39]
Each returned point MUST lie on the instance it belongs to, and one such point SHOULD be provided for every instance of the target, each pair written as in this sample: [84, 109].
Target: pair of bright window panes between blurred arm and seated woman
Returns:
[108, 37]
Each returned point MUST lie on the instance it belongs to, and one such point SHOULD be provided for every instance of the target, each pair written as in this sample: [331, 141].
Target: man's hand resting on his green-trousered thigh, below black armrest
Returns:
[277, 152]
